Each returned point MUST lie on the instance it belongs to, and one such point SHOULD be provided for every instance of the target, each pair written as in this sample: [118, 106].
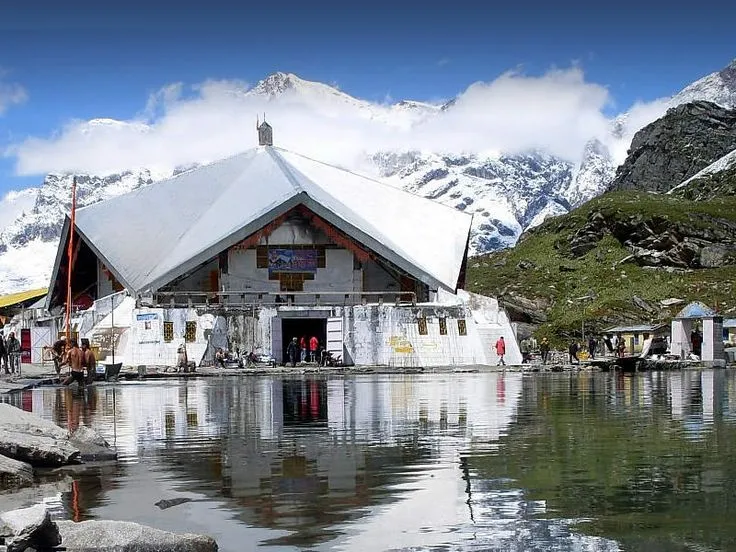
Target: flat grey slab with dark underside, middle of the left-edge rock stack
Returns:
[37, 449]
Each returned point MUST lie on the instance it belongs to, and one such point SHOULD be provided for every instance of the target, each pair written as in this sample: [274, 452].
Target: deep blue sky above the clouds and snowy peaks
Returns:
[81, 60]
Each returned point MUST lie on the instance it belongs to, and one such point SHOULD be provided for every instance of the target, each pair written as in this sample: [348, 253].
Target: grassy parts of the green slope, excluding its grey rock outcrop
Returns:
[613, 285]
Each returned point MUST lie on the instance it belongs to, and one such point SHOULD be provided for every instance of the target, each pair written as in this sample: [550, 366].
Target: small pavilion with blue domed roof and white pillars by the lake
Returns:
[698, 329]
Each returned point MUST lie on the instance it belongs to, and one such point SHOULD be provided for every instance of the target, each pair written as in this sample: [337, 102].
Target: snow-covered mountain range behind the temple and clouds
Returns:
[506, 193]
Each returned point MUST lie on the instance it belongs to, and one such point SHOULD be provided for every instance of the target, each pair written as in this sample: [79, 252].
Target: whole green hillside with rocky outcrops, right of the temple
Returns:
[580, 266]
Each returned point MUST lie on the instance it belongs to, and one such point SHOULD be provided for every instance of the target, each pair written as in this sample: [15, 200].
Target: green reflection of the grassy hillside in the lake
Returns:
[648, 460]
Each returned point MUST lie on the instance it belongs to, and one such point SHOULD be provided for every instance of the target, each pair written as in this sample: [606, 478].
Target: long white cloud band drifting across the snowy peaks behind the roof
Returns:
[558, 112]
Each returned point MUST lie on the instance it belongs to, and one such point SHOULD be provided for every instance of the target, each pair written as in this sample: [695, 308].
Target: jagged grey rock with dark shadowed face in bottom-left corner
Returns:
[29, 528]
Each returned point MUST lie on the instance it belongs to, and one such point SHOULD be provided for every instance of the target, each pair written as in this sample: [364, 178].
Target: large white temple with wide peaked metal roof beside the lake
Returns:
[268, 245]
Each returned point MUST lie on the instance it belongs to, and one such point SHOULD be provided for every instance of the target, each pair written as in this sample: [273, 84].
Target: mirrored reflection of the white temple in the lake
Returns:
[299, 454]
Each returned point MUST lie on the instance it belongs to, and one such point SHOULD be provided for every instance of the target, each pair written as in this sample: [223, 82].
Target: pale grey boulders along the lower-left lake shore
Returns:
[29, 443]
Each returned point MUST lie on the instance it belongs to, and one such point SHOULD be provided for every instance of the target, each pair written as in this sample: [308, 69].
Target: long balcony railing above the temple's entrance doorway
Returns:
[238, 299]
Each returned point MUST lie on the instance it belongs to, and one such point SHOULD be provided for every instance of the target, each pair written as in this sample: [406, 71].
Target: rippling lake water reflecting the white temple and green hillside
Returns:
[471, 461]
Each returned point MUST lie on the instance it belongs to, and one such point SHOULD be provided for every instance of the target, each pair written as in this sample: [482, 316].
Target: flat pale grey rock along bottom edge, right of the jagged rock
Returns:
[124, 536]
